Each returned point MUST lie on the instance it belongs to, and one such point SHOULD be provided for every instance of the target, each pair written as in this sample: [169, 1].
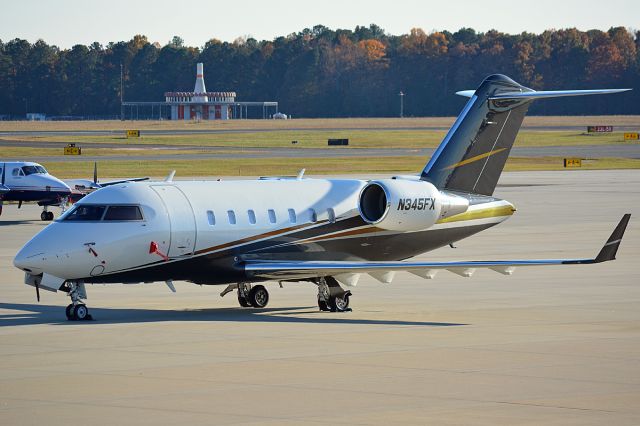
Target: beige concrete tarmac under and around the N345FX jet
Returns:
[548, 345]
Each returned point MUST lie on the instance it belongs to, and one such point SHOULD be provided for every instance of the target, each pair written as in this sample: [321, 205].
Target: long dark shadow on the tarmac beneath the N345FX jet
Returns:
[31, 314]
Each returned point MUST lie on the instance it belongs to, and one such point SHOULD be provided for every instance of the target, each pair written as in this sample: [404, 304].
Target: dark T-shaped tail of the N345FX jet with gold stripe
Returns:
[472, 155]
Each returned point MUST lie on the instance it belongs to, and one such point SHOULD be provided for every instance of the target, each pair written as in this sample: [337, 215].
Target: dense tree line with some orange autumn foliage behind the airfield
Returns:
[320, 72]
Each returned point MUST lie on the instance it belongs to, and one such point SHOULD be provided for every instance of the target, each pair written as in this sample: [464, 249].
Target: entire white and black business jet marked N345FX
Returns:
[324, 231]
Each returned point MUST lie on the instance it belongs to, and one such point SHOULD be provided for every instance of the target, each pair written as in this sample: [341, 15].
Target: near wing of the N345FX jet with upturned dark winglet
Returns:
[347, 271]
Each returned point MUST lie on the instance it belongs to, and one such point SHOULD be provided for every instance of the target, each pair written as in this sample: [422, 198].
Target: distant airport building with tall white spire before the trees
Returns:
[199, 105]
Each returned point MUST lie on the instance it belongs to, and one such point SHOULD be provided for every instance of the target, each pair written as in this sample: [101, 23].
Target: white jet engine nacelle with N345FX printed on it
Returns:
[407, 205]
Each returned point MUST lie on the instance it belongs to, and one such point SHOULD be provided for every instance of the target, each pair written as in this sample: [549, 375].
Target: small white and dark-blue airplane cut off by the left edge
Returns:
[23, 181]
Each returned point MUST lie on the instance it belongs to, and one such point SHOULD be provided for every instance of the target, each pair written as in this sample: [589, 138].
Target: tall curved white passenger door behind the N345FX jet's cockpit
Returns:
[181, 220]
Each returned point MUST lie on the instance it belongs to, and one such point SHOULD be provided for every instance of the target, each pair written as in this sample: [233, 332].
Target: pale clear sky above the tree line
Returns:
[69, 22]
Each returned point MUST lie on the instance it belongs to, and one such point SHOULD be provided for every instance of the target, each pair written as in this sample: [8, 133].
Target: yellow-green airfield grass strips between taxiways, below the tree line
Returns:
[382, 133]
